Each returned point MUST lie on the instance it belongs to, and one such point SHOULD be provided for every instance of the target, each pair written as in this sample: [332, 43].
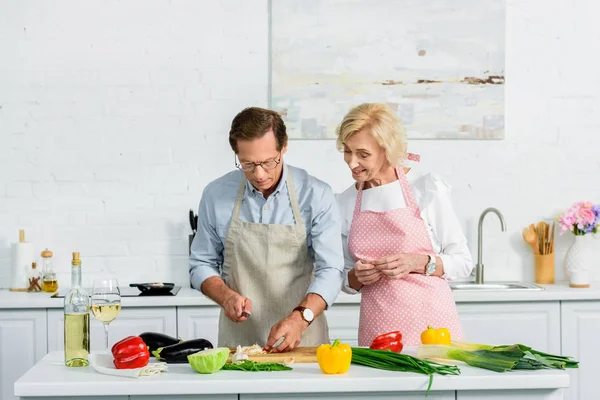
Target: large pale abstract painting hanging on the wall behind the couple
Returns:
[439, 64]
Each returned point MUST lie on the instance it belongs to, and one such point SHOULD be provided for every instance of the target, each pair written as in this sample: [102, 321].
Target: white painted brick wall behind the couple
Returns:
[114, 116]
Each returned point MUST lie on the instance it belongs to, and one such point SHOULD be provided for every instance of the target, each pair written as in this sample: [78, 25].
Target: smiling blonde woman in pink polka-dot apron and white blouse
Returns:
[402, 239]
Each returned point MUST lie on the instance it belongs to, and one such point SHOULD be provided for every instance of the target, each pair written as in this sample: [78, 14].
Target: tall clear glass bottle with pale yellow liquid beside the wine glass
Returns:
[77, 319]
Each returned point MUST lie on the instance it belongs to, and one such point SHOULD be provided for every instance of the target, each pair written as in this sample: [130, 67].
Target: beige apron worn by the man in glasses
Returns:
[271, 265]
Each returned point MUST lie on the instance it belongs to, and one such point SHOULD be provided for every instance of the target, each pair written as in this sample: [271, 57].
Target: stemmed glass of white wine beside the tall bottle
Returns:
[106, 303]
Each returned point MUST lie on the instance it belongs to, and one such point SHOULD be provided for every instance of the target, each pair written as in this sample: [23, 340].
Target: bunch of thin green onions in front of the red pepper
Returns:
[390, 361]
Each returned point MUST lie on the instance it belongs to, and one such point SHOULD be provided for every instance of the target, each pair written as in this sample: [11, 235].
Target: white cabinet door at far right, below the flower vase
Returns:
[580, 327]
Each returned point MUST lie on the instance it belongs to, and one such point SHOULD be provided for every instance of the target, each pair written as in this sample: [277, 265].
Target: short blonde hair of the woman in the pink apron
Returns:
[381, 122]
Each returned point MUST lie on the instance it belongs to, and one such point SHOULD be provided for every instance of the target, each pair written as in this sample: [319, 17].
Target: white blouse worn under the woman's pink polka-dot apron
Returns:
[432, 195]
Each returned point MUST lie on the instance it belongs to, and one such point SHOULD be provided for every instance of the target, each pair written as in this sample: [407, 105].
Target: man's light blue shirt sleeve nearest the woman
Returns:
[327, 247]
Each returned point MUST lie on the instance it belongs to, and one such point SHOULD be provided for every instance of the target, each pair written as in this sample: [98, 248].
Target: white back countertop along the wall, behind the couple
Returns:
[191, 297]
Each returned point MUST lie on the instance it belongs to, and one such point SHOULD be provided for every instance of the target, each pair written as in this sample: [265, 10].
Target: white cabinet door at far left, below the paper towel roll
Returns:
[22, 344]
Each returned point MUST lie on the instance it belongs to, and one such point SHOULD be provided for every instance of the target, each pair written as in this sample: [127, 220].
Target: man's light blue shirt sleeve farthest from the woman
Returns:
[206, 255]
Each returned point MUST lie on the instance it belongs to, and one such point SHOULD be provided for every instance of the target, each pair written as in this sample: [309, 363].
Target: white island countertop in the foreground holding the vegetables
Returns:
[50, 378]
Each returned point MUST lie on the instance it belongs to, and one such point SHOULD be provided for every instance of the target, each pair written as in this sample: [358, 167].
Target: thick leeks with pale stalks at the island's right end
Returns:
[497, 358]
